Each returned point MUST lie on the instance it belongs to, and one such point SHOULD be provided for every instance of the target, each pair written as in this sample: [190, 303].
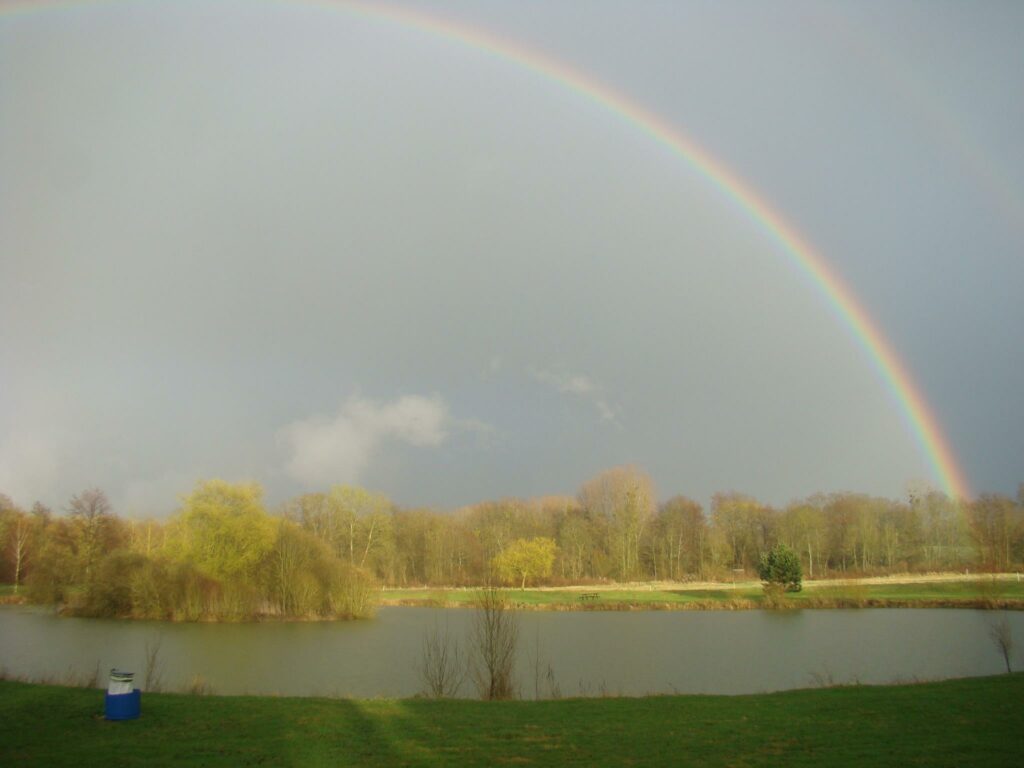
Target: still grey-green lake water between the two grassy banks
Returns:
[588, 654]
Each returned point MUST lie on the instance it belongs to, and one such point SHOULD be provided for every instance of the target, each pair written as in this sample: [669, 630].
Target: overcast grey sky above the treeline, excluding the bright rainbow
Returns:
[285, 242]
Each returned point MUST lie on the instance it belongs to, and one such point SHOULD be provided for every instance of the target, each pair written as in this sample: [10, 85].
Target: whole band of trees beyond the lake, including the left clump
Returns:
[224, 556]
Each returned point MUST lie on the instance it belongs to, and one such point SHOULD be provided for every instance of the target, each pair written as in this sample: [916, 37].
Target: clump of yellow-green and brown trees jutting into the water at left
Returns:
[222, 557]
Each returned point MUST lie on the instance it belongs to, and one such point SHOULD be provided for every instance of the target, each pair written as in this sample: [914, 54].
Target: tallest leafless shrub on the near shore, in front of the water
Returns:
[495, 637]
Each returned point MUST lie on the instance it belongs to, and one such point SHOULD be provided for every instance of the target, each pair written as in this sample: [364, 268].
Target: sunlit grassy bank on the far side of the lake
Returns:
[966, 594]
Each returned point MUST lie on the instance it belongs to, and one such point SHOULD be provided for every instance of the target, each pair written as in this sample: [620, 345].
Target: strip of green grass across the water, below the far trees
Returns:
[934, 592]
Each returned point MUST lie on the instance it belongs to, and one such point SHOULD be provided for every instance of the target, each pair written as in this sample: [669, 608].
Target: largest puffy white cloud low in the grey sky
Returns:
[339, 450]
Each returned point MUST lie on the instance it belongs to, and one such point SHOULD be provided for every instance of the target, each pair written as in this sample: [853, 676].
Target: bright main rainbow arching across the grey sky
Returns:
[841, 301]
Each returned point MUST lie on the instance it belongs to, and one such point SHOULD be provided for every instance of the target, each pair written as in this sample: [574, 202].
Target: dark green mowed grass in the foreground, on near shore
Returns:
[972, 722]
